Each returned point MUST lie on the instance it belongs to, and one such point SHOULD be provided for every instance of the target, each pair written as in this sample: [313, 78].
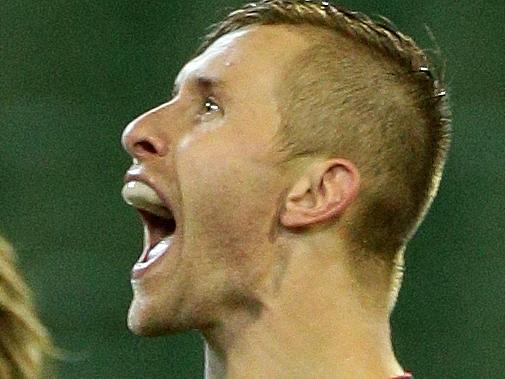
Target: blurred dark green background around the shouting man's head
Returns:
[74, 73]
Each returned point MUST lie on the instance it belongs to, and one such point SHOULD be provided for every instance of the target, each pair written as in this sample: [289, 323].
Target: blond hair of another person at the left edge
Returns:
[24, 342]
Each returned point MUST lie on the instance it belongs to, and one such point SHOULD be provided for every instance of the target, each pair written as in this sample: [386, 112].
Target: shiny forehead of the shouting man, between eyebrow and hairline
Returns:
[254, 57]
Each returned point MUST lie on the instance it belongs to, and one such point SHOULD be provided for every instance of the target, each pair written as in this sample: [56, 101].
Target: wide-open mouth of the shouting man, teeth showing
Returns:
[158, 219]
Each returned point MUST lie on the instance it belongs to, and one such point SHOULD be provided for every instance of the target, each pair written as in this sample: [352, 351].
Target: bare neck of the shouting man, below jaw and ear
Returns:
[314, 324]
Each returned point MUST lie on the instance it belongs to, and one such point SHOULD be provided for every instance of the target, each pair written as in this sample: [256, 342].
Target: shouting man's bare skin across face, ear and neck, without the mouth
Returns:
[270, 302]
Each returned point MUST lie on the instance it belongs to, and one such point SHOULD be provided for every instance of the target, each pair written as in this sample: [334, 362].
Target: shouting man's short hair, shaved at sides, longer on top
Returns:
[378, 102]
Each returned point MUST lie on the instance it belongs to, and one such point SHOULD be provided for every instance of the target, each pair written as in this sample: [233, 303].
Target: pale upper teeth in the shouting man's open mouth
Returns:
[140, 195]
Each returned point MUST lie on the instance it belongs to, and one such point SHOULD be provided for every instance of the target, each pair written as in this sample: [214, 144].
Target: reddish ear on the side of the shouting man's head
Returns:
[322, 193]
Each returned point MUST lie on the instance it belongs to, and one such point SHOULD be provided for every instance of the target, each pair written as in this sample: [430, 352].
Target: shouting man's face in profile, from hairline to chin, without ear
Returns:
[208, 155]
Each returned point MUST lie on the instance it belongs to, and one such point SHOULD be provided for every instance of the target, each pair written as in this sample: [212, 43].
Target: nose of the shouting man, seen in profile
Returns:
[142, 137]
